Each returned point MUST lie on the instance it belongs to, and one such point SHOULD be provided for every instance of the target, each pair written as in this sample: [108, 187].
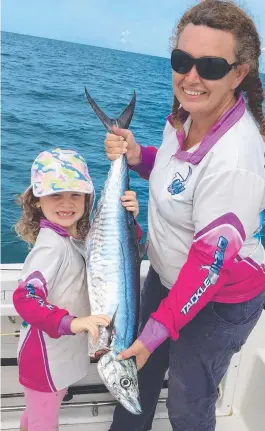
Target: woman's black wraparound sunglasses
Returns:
[211, 68]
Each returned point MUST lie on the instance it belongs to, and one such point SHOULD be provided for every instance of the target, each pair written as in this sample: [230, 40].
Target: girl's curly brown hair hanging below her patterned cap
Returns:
[28, 226]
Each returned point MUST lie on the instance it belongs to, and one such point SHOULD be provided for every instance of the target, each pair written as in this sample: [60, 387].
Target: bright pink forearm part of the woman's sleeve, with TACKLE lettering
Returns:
[199, 279]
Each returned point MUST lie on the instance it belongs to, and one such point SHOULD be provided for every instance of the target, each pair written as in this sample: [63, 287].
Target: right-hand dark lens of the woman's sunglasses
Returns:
[212, 68]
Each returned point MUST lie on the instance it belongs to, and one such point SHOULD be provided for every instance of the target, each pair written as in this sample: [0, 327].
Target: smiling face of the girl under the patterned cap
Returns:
[64, 209]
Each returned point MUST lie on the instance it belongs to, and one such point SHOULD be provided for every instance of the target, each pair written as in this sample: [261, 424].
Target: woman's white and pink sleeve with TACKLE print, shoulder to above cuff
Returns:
[226, 209]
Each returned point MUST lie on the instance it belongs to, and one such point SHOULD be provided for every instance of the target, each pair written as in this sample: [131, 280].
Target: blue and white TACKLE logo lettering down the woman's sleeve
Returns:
[212, 276]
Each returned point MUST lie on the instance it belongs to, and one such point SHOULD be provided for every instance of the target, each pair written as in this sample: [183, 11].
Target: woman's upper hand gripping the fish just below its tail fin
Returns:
[122, 142]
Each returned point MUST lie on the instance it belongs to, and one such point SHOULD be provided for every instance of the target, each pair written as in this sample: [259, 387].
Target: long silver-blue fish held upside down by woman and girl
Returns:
[113, 274]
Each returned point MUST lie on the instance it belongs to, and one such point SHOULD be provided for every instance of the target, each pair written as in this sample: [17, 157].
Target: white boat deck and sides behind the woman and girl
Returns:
[89, 406]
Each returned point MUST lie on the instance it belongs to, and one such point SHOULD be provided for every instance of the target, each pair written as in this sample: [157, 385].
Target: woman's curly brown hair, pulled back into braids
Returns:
[226, 16]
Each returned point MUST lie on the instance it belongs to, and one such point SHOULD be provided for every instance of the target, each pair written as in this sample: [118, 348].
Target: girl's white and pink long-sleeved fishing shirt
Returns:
[52, 290]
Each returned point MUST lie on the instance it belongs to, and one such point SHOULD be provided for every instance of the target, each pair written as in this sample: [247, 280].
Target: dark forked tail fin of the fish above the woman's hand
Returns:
[124, 119]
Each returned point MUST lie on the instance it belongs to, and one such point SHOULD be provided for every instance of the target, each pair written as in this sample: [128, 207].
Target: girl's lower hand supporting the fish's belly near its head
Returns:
[89, 324]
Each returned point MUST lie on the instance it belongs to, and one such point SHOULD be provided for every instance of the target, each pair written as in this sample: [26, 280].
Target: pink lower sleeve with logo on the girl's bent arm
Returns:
[30, 302]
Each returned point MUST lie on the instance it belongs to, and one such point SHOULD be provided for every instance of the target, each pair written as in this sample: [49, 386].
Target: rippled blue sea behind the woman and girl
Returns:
[43, 106]
